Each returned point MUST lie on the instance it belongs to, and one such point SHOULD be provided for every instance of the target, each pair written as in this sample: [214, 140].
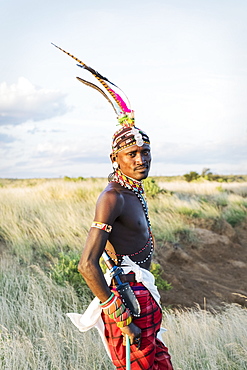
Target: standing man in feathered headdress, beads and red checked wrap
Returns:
[121, 227]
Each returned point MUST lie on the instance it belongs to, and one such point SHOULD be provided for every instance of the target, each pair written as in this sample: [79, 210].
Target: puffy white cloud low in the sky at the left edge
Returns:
[23, 101]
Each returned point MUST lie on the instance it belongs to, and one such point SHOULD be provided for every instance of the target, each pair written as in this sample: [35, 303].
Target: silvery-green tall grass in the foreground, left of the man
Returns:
[35, 333]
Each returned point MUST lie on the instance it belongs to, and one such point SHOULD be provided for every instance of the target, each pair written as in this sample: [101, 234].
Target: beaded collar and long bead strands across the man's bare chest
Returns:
[137, 188]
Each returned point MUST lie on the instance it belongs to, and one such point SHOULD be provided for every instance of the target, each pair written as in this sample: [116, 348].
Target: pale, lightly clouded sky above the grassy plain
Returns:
[182, 64]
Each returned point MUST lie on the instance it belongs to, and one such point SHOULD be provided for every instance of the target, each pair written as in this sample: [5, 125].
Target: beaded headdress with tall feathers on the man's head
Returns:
[128, 135]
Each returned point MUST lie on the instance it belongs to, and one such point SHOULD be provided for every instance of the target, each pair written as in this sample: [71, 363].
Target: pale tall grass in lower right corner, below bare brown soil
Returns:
[204, 340]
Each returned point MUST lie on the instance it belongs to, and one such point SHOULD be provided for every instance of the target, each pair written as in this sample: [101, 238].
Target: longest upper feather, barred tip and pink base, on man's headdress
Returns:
[121, 104]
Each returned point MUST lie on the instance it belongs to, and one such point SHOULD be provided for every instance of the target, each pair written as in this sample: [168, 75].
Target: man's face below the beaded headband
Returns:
[135, 161]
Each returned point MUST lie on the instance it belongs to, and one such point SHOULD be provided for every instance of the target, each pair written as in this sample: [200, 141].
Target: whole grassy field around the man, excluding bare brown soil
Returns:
[43, 226]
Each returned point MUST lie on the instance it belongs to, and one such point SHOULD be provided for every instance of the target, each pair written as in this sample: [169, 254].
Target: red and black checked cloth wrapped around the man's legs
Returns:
[153, 355]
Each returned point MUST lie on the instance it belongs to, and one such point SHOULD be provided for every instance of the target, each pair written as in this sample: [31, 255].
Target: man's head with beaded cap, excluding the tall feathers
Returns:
[131, 151]
